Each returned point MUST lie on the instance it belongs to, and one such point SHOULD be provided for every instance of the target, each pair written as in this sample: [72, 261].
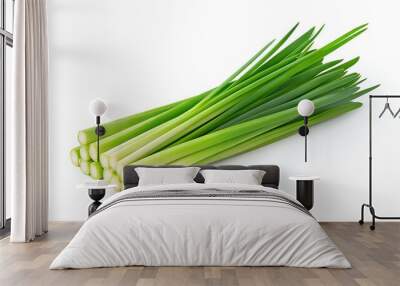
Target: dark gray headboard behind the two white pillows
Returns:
[271, 177]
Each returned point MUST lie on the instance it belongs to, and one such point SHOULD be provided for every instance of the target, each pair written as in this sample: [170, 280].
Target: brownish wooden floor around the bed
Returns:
[375, 257]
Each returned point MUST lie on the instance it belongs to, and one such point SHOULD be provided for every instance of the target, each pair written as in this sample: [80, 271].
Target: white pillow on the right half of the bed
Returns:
[247, 177]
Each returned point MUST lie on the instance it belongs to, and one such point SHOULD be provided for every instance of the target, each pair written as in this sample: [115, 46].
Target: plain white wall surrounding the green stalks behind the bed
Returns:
[141, 54]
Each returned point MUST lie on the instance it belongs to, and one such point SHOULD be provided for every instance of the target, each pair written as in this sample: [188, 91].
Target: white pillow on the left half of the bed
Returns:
[165, 176]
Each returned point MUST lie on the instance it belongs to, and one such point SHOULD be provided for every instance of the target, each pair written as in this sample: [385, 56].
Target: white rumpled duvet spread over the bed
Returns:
[200, 231]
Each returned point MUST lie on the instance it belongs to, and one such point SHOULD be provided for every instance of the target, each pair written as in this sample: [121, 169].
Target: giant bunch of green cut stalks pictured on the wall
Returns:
[254, 107]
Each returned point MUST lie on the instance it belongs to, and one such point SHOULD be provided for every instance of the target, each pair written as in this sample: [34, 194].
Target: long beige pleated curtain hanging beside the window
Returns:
[29, 148]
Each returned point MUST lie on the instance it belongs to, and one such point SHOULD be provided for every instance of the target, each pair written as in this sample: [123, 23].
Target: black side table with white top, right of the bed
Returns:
[305, 190]
